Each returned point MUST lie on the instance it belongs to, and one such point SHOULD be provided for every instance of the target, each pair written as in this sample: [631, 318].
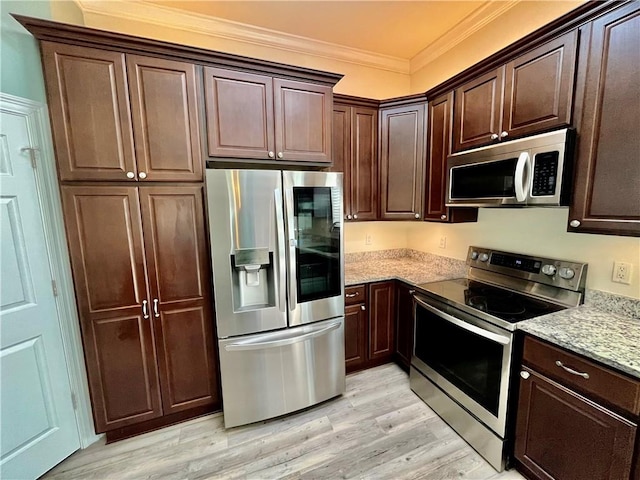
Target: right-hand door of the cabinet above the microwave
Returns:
[539, 87]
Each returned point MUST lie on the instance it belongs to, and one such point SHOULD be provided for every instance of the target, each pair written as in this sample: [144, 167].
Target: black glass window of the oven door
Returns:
[470, 362]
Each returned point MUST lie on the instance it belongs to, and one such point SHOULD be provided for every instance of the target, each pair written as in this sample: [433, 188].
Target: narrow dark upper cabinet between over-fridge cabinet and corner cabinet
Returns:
[355, 151]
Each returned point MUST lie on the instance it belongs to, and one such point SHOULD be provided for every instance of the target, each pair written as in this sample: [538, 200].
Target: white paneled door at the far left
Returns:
[38, 423]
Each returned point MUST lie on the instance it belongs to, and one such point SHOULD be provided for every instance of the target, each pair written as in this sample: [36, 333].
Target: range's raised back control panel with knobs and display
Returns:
[560, 273]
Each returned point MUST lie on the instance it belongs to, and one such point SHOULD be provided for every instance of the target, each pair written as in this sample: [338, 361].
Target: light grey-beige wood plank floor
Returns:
[379, 429]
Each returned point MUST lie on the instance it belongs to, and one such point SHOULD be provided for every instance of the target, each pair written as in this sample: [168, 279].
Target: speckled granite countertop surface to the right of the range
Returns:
[607, 337]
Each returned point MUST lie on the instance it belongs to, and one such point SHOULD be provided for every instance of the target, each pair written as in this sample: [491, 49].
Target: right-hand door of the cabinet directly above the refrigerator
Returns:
[303, 115]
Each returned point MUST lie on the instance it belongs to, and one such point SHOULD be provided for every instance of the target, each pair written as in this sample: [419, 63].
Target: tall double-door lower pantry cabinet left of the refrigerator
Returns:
[140, 268]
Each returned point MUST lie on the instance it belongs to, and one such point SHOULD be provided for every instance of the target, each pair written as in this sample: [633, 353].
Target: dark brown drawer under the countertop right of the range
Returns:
[616, 390]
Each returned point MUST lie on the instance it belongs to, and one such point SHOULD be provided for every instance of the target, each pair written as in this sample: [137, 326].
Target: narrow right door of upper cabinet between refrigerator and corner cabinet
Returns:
[364, 163]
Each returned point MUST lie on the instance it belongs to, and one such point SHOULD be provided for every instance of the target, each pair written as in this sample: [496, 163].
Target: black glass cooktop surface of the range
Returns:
[496, 304]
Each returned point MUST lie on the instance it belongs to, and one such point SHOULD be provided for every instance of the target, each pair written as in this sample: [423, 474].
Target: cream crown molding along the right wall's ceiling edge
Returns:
[472, 23]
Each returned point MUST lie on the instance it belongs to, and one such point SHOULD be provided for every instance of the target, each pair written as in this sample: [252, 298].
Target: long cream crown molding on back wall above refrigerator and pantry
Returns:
[225, 29]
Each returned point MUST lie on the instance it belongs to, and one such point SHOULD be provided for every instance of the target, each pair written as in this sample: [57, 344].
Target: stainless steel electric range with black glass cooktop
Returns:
[464, 338]
